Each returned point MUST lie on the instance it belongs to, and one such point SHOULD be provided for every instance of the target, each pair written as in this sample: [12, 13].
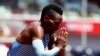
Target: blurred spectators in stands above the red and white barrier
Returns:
[72, 8]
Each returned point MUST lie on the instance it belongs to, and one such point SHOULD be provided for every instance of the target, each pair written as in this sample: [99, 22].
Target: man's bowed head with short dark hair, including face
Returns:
[51, 18]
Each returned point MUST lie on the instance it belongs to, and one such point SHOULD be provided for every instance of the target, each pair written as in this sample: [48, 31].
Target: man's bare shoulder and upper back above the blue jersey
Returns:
[30, 33]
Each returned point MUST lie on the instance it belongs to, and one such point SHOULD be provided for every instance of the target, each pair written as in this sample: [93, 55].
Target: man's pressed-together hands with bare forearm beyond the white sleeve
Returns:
[62, 34]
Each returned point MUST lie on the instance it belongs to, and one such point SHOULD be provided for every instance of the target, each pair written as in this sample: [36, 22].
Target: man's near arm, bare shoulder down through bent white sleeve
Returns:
[38, 44]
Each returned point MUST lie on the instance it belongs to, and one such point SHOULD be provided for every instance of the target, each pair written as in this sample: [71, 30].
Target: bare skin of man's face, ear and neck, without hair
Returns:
[51, 24]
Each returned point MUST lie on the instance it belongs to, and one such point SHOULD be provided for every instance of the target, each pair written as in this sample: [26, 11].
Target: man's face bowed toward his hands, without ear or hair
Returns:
[53, 22]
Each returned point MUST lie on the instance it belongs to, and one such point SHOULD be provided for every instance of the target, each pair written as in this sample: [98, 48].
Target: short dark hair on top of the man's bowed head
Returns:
[49, 9]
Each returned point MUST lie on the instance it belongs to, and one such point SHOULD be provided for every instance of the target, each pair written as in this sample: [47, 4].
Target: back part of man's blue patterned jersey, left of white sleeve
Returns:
[18, 49]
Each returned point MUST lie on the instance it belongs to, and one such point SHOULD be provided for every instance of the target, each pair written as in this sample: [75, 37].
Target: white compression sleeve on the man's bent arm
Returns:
[38, 45]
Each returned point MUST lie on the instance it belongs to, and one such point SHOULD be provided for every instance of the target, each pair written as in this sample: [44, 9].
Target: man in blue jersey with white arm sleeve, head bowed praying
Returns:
[29, 41]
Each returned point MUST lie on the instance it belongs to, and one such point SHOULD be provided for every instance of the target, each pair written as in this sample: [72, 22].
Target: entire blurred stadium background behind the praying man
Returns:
[81, 18]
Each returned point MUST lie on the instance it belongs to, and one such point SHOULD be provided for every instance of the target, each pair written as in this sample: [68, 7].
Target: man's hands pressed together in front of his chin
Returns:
[60, 38]
